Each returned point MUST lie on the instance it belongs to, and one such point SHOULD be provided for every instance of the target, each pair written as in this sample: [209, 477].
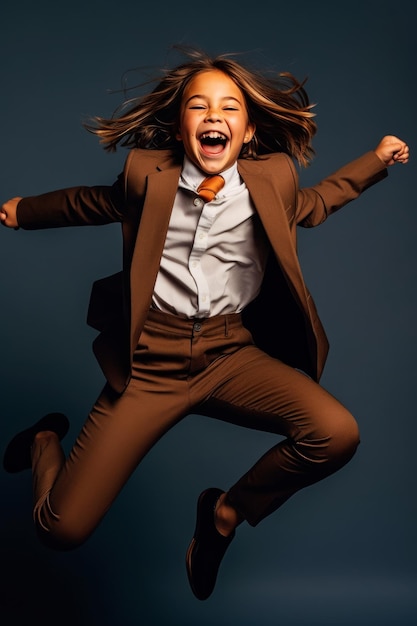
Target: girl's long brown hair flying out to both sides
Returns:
[277, 105]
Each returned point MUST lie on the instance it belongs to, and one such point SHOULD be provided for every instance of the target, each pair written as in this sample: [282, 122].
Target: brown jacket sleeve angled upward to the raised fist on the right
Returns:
[315, 204]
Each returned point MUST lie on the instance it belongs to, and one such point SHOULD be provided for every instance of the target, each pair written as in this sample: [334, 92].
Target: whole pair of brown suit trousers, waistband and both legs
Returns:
[208, 367]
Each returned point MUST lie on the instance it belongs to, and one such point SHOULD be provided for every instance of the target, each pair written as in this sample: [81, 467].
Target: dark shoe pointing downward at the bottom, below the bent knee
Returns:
[207, 547]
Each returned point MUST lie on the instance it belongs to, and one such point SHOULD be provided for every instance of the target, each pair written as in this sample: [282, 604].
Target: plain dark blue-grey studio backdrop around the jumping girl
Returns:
[342, 552]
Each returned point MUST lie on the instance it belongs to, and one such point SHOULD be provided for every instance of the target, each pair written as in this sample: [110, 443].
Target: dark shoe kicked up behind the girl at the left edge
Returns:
[17, 455]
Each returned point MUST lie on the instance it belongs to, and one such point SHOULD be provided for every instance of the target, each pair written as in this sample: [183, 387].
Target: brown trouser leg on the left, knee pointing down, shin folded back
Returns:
[118, 433]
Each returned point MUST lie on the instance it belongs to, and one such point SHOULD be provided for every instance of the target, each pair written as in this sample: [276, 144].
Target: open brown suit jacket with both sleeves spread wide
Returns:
[284, 325]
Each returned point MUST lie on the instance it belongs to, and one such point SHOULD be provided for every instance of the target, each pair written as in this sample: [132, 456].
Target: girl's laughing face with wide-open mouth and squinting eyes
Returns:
[213, 123]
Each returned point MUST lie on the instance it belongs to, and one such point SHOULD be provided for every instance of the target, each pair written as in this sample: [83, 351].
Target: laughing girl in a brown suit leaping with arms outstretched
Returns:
[210, 313]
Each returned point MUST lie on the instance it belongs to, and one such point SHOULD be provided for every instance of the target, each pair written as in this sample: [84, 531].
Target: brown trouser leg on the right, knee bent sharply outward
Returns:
[320, 434]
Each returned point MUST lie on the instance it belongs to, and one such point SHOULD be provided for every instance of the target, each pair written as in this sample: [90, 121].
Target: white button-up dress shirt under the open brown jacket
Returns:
[215, 253]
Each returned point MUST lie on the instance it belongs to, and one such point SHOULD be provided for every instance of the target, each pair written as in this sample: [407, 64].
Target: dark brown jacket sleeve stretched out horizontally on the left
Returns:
[75, 206]
